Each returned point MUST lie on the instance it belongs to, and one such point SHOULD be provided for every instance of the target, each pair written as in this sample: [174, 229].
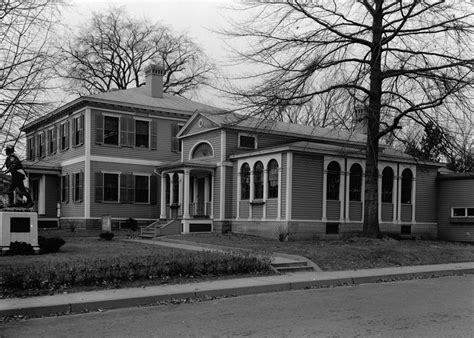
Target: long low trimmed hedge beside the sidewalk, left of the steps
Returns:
[113, 272]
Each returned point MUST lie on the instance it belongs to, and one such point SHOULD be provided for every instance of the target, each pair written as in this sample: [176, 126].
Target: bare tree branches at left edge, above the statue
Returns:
[26, 62]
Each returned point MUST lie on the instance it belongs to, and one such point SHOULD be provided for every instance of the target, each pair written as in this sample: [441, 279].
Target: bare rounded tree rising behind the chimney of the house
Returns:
[112, 49]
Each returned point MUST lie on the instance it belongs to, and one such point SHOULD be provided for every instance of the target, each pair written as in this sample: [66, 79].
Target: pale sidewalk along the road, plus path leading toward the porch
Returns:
[130, 297]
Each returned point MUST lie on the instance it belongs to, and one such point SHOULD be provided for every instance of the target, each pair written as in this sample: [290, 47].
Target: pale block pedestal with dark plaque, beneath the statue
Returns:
[18, 226]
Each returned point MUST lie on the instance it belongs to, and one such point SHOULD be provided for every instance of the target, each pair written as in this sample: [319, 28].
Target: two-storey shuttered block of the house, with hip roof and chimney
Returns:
[96, 155]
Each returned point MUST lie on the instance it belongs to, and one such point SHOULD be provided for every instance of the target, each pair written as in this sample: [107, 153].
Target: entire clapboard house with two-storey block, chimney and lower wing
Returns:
[178, 166]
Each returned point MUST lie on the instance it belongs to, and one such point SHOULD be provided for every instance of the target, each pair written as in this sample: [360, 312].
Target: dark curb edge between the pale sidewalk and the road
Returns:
[79, 305]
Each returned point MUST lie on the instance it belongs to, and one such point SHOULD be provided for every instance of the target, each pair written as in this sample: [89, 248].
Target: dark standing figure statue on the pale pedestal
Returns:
[19, 180]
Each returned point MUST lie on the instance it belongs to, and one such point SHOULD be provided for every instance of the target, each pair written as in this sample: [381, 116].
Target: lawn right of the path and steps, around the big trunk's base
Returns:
[352, 254]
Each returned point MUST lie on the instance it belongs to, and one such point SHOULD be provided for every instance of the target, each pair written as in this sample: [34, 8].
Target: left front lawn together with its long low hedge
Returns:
[85, 263]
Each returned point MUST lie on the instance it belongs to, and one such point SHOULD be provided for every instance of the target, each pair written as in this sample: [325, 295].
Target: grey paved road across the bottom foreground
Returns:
[440, 307]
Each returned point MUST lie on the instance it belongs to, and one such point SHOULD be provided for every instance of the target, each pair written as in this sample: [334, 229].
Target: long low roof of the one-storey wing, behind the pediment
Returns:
[233, 120]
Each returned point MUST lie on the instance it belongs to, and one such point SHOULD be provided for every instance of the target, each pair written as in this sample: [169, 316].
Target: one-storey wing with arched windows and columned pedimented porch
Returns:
[265, 178]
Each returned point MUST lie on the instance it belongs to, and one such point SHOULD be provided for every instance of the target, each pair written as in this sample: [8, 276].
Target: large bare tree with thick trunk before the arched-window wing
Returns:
[401, 60]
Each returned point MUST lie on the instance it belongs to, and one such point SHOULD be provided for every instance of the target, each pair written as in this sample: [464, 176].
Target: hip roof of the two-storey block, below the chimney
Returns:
[130, 98]
